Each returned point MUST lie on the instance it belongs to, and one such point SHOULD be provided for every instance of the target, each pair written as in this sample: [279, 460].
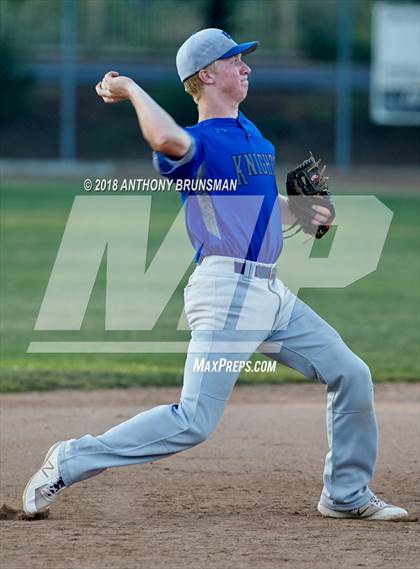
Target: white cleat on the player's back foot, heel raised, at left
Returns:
[45, 485]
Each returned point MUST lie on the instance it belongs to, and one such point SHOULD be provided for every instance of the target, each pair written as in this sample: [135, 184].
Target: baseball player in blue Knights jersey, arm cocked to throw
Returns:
[234, 303]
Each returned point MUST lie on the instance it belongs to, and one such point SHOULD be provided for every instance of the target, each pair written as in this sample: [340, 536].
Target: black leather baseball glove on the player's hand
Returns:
[307, 186]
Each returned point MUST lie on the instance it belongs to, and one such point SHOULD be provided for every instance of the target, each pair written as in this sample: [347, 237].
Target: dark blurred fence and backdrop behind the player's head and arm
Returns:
[309, 89]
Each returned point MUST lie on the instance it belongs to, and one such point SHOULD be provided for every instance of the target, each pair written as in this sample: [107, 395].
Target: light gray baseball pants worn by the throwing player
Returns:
[231, 316]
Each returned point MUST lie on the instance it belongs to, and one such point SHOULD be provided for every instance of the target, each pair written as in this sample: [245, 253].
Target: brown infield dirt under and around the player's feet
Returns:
[245, 498]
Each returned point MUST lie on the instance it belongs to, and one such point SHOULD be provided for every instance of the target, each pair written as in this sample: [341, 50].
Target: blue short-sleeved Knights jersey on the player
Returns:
[237, 214]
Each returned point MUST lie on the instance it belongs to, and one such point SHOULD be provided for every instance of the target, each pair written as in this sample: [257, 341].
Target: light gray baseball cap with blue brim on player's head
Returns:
[206, 46]
